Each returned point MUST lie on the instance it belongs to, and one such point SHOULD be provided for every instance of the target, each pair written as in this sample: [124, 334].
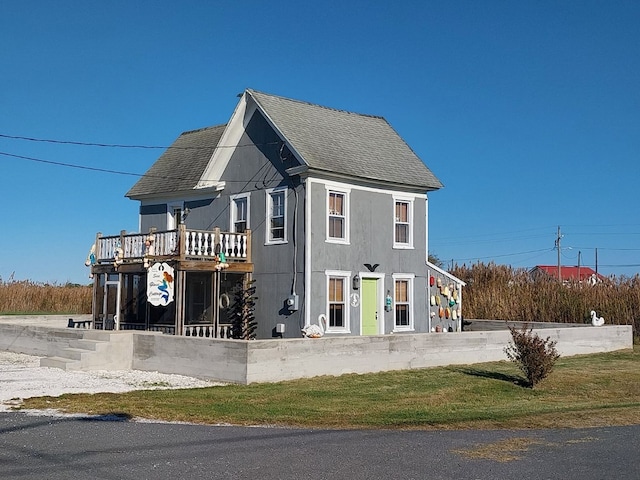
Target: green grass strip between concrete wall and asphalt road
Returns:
[583, 391]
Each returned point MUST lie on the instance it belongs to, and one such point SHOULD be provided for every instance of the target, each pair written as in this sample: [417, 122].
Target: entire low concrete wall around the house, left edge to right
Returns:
[276, 360]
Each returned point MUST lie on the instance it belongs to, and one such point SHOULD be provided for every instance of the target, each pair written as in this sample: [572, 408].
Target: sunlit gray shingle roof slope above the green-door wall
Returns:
[347, 143]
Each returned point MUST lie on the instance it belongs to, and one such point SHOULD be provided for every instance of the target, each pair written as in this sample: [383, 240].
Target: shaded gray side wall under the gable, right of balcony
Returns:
[254, 168]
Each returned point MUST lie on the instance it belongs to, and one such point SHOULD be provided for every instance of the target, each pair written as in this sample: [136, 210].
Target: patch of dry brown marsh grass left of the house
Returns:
[27, 297]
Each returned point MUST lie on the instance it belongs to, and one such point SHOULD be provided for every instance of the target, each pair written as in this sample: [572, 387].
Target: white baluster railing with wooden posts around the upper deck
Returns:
[180, 244]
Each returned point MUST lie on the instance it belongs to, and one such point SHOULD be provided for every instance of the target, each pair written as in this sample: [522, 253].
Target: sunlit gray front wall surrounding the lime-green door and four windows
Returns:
[371, 233]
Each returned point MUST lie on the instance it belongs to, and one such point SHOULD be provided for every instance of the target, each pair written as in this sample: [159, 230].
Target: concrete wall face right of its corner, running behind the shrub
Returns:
[290, 359]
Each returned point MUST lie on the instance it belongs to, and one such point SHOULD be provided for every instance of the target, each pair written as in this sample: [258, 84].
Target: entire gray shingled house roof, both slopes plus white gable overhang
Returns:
[324, 141]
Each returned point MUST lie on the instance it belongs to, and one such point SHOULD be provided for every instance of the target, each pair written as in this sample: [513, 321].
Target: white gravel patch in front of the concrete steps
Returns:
[21, 376]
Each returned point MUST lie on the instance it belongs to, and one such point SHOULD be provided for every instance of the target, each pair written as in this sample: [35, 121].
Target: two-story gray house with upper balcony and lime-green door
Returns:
[326, 210]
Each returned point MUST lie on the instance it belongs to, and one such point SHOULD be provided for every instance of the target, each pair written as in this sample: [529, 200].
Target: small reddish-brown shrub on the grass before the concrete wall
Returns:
[534, 355]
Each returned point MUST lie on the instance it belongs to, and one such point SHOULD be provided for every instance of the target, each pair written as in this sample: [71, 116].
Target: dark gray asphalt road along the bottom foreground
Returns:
[63, 447]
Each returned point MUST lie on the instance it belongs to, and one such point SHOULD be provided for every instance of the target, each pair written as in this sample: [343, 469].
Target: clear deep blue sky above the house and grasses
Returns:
[528, 112]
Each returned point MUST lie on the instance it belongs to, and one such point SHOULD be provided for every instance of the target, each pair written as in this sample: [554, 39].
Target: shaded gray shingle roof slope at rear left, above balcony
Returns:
[180, 167]
